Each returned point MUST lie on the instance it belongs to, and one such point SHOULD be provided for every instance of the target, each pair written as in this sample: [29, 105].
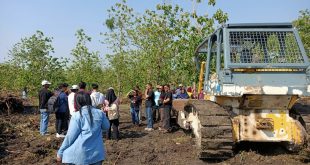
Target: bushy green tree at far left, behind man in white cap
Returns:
[32, 61]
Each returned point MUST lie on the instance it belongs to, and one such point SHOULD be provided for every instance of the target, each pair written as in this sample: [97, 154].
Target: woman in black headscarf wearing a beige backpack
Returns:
[112, 109]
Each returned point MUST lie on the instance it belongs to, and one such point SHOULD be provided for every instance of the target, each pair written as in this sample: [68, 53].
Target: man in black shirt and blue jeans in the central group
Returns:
[149, 103]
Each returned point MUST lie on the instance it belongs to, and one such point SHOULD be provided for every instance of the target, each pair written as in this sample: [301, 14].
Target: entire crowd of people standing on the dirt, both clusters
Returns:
[82, 116]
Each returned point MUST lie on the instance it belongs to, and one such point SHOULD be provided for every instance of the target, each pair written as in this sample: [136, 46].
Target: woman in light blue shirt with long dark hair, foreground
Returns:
[83, 143]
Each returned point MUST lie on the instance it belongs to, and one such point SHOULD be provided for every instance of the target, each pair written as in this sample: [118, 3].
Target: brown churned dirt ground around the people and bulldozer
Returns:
[21, 143]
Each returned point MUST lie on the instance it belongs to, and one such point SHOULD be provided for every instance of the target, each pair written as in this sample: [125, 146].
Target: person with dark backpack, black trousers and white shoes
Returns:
[62, 115]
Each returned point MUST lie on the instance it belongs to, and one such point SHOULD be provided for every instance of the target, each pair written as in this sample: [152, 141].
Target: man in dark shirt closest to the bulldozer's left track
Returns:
[167, 105]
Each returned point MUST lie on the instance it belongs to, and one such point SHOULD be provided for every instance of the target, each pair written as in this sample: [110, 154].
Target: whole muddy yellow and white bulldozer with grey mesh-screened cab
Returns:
[252, 77]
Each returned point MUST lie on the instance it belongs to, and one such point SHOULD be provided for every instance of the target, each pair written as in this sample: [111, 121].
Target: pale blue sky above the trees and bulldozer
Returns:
[61, 18]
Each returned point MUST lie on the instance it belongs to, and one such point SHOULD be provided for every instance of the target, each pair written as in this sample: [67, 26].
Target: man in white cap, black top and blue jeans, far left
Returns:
[44, 95]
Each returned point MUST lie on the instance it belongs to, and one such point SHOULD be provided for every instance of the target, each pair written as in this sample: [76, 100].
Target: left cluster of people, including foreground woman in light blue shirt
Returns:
[81, 118]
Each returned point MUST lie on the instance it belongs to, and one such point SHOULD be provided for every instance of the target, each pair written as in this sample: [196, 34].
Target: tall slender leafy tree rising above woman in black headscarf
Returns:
[119, 22]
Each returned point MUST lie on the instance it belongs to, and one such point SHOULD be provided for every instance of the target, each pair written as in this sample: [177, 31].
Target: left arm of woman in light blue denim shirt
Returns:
[72, 134]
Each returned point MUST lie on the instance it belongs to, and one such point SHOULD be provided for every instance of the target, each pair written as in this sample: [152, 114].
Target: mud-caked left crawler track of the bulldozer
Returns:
[216, 140]
